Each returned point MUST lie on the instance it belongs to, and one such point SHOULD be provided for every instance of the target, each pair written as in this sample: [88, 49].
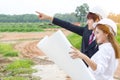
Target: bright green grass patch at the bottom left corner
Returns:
[16, 69]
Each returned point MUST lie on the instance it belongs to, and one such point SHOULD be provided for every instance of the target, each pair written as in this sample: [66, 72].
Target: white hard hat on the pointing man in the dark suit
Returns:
[98, 11]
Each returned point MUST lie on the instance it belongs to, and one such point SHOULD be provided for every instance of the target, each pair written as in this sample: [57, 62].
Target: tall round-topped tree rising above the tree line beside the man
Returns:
[81, 12]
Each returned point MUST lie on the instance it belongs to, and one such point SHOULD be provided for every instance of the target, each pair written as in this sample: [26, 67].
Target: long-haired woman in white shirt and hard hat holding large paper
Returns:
[103, 63]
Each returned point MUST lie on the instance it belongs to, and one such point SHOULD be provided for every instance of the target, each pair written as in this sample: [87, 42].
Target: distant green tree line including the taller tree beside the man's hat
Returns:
[77, 16]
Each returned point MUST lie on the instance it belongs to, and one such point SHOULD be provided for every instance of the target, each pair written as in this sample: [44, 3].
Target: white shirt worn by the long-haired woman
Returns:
[106, 62]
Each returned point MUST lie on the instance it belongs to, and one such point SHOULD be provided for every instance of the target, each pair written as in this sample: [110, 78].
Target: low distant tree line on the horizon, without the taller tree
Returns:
[33, 18]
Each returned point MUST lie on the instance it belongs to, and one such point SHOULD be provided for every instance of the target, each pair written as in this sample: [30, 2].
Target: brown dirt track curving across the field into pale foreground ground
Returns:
[26, 44]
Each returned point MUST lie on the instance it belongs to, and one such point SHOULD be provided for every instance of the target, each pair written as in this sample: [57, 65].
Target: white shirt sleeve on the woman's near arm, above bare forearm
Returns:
[101, 58]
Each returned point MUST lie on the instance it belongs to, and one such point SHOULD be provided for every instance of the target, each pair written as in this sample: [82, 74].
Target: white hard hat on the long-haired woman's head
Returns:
[108, 22]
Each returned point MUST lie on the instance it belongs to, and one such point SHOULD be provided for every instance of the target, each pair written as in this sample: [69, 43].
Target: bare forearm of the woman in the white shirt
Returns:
[91, 63]
